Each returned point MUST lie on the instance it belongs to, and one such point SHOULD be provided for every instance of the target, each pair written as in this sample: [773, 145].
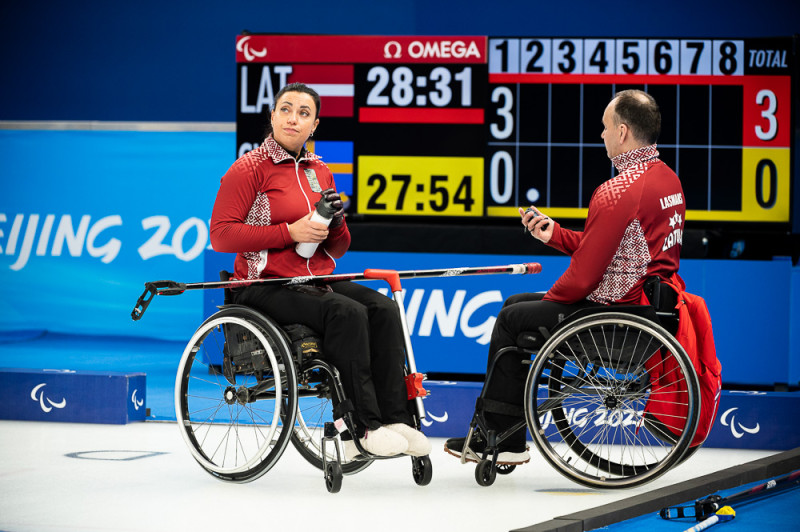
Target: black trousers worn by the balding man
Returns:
[520, 313]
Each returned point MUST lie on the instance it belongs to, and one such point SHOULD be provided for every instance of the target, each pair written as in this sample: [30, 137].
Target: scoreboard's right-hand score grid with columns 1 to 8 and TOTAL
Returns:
[726, 121]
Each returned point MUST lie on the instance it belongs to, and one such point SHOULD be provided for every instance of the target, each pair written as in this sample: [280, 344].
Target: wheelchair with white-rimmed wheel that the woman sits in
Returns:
[273, 387]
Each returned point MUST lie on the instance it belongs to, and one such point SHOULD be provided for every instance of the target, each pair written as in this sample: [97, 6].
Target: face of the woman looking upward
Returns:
[293, 120]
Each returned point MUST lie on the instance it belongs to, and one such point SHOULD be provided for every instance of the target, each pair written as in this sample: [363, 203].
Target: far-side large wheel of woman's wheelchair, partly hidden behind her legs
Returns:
[314, 408]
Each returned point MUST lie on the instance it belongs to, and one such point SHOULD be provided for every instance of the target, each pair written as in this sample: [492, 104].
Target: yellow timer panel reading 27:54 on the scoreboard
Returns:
[424, 186]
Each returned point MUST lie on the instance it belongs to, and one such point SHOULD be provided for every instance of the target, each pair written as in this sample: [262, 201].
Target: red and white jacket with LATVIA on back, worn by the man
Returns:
[634, 230]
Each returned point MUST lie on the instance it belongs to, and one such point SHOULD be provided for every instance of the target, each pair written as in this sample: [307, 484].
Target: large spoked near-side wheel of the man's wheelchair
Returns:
[590, 394]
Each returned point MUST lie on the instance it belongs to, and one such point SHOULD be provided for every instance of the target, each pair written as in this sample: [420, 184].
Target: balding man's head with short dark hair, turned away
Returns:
[631, 120]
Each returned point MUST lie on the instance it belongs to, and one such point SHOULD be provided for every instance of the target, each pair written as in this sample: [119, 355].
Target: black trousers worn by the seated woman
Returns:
[361, 336]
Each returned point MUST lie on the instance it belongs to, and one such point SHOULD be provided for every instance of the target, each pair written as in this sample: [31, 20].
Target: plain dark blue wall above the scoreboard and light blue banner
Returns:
[174, 60]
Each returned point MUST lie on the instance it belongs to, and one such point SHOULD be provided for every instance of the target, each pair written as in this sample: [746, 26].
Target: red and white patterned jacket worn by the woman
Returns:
[263, 192]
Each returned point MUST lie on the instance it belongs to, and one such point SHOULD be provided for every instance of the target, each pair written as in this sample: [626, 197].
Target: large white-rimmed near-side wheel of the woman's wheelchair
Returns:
[233, 418]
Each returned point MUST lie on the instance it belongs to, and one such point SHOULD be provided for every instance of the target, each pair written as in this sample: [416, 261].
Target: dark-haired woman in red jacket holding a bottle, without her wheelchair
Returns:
[262, 211]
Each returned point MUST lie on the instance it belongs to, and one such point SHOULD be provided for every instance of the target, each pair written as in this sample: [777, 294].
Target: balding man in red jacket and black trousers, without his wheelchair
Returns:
[633, 233]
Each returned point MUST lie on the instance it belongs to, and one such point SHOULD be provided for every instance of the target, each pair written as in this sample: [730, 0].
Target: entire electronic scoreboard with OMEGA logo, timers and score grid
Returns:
[475, 126]
